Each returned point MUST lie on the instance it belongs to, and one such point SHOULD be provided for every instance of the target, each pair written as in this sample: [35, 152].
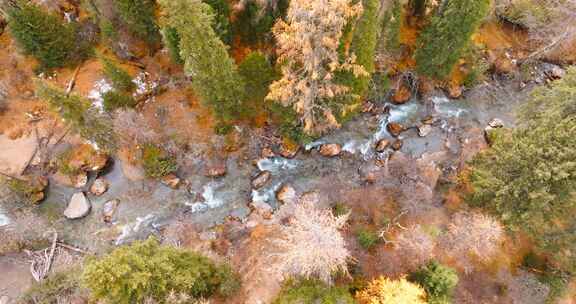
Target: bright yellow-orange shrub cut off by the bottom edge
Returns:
[386, 291]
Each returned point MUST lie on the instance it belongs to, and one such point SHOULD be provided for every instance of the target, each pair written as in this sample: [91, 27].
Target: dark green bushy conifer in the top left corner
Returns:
[45, 36]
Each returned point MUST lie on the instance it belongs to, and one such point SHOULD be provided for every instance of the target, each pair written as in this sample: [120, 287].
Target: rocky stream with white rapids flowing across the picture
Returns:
[145, 206]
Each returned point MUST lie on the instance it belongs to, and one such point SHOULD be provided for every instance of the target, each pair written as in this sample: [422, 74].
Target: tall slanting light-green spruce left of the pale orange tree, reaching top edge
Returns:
[214, 75]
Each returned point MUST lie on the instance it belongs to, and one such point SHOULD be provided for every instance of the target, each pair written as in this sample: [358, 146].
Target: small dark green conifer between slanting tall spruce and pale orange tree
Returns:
[258, 74]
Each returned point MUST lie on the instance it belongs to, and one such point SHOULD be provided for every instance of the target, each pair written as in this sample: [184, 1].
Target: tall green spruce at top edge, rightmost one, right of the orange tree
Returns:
[442, 42]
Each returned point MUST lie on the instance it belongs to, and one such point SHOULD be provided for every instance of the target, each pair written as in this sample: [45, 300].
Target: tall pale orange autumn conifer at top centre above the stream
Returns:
[308, 54]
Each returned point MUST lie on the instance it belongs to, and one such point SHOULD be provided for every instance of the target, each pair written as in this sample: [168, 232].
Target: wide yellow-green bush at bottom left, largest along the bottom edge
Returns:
[145, 269]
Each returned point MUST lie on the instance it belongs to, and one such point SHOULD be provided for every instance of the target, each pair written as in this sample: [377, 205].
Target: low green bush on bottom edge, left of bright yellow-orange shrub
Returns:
[310, 291]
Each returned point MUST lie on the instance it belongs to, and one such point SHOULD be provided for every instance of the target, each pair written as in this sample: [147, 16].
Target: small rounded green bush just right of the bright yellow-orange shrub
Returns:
[439, 282]
